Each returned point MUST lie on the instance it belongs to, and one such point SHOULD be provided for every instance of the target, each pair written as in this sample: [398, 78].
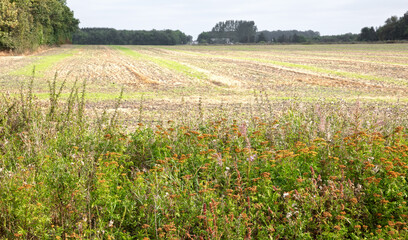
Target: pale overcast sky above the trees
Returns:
[329, 17]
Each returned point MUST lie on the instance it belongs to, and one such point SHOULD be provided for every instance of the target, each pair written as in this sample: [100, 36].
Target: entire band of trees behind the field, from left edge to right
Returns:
[28, 24]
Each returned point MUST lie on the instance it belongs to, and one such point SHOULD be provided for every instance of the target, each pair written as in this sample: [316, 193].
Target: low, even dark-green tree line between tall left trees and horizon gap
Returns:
[110, 36]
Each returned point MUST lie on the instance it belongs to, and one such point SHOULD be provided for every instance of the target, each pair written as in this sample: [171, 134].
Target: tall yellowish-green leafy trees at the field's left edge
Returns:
[28, 24]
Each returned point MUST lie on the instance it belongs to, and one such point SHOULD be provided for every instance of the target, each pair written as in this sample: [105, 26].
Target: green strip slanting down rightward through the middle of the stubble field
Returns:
[166, 63]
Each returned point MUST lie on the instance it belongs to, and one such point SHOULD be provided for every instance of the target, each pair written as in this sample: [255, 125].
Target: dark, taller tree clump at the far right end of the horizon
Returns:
[394, 29]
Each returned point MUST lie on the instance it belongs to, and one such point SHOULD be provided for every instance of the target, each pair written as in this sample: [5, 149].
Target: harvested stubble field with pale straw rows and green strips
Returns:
[169, 76]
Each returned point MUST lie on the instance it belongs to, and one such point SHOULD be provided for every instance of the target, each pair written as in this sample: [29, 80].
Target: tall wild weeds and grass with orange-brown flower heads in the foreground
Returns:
[314, 171]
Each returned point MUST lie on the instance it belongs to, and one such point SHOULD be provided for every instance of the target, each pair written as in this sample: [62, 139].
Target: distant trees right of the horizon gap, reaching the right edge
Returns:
[394, 29]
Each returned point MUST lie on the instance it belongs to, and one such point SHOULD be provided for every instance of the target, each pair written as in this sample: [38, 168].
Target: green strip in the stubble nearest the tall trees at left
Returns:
[43, 64]
